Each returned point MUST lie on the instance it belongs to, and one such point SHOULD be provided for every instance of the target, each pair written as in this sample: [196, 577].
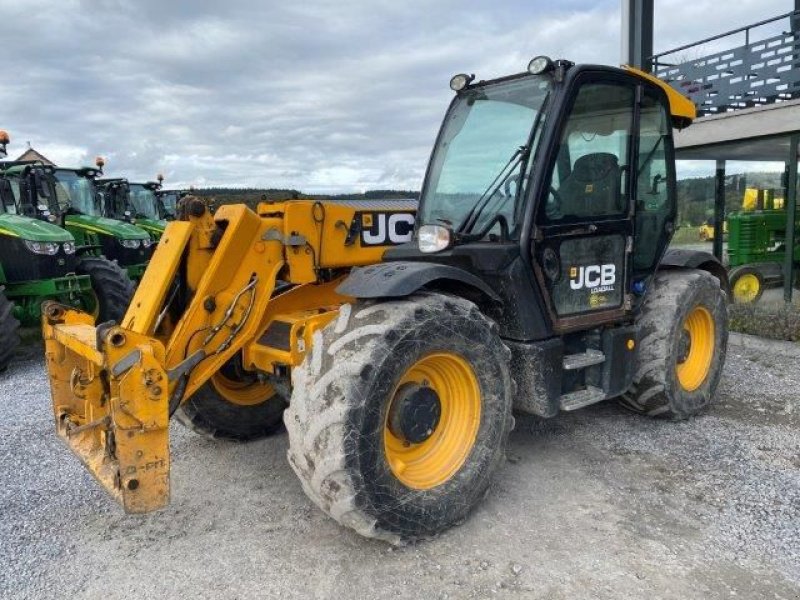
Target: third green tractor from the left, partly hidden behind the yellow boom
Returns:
[136, 203]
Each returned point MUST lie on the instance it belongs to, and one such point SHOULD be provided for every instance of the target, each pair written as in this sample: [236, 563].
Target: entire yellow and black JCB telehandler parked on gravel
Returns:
[535, 276]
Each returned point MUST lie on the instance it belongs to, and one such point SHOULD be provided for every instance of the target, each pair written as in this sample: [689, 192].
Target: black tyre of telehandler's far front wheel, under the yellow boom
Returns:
[210, 414]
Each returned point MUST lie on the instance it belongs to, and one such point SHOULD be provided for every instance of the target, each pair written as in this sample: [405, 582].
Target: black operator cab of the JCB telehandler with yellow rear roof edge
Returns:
[556, 188]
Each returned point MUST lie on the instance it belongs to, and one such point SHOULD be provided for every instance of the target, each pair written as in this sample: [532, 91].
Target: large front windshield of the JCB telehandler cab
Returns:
[481, 160]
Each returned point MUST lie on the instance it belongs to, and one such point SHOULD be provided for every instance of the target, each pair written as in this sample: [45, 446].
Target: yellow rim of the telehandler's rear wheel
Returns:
[699, 336]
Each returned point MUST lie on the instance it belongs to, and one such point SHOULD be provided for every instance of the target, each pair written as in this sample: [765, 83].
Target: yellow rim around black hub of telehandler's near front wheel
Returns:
[435, 460]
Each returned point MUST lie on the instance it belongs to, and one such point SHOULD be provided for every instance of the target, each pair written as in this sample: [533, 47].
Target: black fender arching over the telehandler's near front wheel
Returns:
[402, 278]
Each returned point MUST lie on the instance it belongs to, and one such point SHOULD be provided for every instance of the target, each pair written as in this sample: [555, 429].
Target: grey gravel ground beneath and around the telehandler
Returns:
[598, 503]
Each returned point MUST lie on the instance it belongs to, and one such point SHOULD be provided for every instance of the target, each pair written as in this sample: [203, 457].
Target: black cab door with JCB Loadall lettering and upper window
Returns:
[584, 226]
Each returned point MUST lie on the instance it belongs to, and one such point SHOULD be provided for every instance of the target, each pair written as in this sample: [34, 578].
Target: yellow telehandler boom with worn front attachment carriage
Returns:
[262, 282]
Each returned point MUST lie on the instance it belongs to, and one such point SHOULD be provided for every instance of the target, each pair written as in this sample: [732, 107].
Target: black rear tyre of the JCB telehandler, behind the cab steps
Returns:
[657, 390]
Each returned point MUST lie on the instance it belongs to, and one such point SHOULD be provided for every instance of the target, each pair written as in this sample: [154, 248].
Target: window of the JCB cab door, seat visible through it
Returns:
[589, 180]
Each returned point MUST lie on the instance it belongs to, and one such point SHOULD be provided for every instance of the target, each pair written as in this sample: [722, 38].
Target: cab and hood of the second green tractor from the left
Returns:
[95, 233]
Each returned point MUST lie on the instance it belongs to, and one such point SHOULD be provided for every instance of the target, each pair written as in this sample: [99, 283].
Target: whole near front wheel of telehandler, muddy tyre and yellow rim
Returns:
[400, 415]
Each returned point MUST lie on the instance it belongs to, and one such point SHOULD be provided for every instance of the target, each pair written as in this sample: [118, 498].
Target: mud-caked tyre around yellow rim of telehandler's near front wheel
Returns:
[338, 415]
